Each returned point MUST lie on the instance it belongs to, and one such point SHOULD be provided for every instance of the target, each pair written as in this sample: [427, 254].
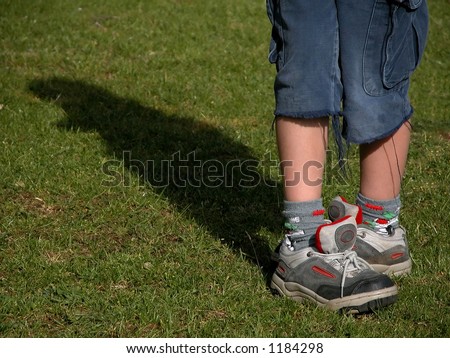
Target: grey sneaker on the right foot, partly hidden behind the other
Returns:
[382, 245]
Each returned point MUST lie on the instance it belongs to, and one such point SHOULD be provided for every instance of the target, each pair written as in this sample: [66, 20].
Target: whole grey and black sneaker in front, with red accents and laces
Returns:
[332, 275]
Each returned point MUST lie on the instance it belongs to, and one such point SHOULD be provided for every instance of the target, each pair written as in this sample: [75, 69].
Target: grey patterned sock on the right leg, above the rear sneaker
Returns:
[381, 216]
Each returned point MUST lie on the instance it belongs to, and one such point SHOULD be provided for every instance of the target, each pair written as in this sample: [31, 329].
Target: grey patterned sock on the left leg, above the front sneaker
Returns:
[302, 220]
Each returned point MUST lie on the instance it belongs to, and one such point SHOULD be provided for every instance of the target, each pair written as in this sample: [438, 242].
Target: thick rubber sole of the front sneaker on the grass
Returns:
[359, 303]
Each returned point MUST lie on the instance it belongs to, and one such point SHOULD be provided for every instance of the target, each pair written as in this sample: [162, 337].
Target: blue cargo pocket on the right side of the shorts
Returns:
[401, 42]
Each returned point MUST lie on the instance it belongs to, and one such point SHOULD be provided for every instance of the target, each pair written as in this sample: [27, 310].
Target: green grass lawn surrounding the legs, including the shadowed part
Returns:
[89, 248]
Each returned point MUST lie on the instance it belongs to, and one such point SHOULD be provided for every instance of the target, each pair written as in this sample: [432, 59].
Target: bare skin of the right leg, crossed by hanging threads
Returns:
[383, 164]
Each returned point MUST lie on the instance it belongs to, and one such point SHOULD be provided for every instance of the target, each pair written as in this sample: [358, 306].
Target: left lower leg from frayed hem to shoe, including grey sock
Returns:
[302, 147]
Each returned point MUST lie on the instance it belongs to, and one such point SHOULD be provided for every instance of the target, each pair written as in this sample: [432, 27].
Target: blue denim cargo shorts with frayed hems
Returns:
[349, 58]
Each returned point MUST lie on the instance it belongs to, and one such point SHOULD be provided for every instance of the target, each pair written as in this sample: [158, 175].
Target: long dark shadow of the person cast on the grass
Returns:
[203, 172]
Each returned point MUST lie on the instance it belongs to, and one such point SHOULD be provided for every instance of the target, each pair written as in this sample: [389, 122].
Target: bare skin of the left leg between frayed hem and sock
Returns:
[302, 147]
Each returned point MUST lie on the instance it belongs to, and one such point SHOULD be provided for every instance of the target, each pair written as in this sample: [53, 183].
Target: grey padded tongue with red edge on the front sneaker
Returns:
[339, 236]
